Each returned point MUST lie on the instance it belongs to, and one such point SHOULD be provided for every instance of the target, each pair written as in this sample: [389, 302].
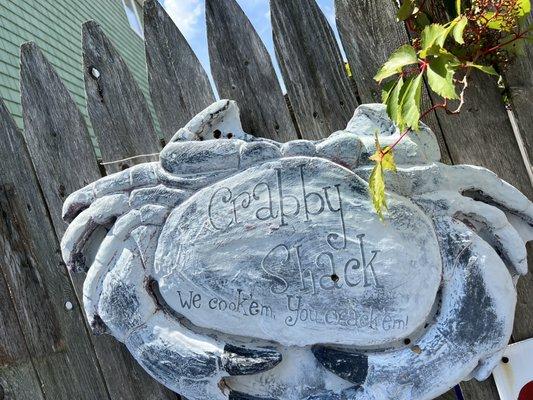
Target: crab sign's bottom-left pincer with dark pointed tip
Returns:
[190, 364]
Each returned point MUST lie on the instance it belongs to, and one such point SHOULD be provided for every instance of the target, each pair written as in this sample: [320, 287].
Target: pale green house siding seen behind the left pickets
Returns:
[55, 25]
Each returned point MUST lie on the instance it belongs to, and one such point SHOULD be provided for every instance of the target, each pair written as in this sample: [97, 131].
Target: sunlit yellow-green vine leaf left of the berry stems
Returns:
[440, 73]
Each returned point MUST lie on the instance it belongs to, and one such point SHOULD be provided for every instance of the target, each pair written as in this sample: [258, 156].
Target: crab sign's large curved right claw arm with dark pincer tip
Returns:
[470, 329]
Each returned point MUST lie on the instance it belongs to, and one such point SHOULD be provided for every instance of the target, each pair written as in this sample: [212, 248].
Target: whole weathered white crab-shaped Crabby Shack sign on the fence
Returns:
[237, 267]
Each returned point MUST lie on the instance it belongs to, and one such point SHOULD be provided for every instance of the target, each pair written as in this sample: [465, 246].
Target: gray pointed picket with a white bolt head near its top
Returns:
[118, 110]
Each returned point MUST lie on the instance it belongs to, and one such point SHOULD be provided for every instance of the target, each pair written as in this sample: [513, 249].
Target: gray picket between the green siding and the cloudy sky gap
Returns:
[179, 86]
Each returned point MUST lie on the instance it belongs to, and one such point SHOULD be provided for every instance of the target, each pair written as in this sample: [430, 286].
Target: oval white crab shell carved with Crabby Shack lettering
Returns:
[292, 251]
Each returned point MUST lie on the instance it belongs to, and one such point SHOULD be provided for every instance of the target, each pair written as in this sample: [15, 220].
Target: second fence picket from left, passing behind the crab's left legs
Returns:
[61, 151]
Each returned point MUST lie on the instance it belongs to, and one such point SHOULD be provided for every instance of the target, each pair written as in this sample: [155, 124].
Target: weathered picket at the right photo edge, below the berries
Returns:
[519, 79]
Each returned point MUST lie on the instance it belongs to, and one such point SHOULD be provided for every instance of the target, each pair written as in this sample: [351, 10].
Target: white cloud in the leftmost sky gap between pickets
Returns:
[186, 14]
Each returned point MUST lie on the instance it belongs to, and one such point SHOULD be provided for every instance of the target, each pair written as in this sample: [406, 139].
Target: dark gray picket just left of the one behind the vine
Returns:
[319, 88]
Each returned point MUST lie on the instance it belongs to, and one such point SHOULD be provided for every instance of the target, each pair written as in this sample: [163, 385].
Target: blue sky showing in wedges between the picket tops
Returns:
[189, 16]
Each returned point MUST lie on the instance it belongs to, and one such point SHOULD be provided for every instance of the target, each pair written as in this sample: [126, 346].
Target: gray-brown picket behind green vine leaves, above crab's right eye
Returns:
[370, 32]
